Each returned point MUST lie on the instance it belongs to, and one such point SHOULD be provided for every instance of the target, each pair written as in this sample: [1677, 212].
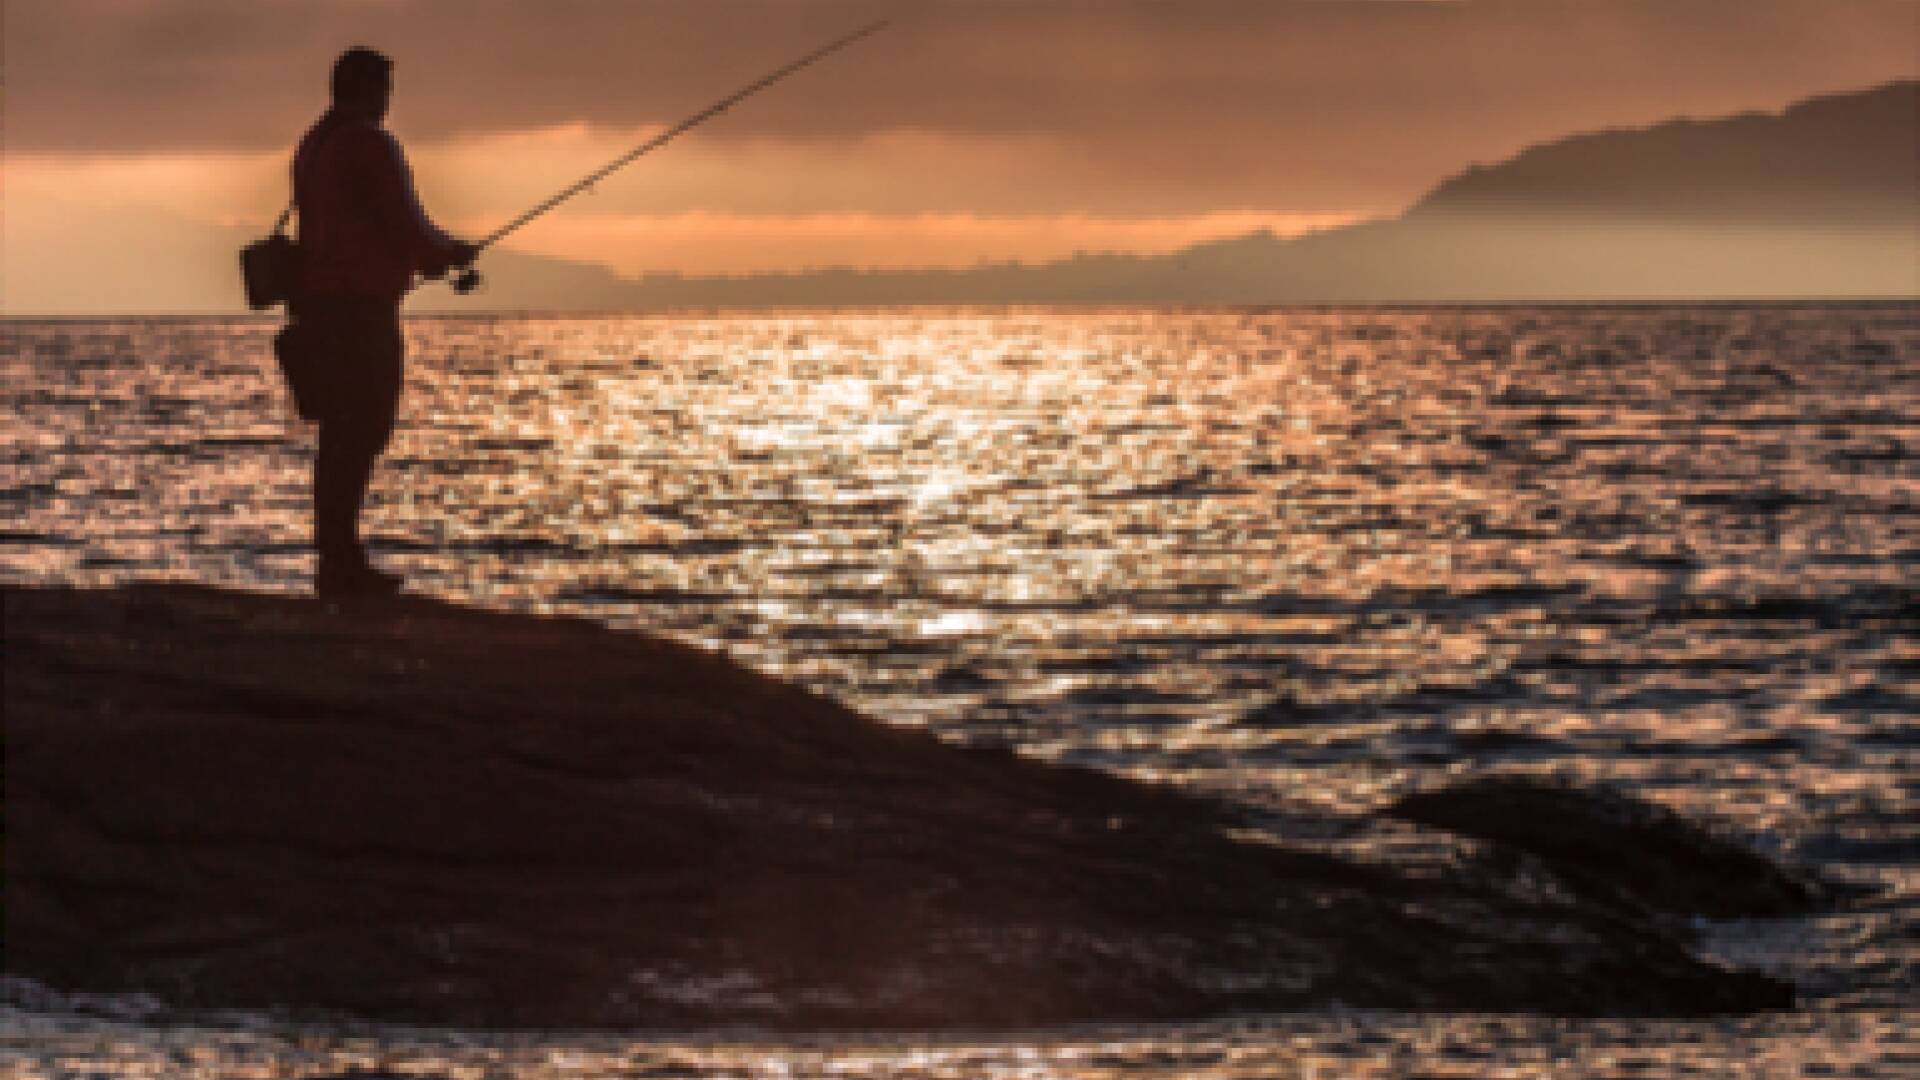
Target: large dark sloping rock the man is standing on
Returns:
[429, 814]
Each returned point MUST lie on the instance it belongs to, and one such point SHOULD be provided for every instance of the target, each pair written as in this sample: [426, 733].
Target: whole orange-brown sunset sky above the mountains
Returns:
[967, 132]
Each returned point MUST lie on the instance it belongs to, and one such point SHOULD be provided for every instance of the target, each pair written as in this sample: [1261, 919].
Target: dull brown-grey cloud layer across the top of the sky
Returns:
[1307, 97]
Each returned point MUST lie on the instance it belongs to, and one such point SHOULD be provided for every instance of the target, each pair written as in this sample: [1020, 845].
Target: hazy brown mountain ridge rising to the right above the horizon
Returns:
[1819, 201]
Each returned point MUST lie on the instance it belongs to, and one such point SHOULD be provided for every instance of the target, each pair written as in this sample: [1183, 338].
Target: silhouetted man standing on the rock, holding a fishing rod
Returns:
[364, 237]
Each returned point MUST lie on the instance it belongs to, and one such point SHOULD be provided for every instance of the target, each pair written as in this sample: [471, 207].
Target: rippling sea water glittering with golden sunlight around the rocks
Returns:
[1305, 560]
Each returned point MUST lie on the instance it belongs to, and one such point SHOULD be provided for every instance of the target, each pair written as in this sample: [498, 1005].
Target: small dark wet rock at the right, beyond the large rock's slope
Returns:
[1618, 850]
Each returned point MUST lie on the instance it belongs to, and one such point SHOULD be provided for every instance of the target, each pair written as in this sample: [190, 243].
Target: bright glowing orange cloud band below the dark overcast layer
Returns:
[487, 180]
